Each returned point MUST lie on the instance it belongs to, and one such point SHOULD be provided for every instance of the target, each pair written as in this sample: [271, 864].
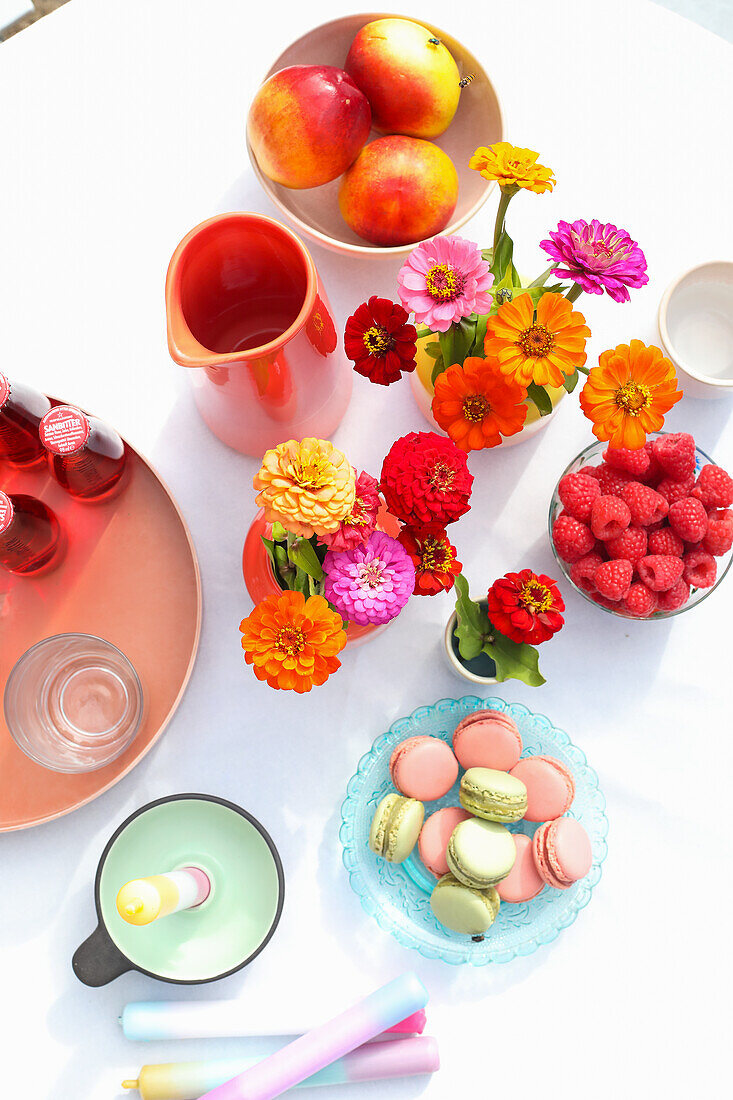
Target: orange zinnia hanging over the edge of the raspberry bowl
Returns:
[627, 397]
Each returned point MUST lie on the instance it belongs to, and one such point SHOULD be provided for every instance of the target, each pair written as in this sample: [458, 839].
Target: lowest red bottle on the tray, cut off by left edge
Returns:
[30, 534]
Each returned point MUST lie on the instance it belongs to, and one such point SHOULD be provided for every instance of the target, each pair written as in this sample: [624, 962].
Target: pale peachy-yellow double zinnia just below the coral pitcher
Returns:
[307, 486]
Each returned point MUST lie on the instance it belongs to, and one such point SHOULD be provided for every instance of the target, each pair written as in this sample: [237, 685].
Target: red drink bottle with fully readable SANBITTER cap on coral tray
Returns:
[85, 456]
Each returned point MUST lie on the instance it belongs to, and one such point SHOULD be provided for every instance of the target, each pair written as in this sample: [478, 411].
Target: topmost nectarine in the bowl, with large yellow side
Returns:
[408, 75]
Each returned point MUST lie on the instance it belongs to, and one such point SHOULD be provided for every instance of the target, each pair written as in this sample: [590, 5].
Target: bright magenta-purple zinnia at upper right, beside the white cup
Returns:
[598, 258]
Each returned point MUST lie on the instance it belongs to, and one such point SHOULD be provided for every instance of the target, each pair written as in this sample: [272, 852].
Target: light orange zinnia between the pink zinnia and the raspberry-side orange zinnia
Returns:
[541, 347]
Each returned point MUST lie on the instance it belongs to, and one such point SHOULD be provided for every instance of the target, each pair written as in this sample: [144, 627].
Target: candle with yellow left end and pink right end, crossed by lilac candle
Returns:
[188, 1081]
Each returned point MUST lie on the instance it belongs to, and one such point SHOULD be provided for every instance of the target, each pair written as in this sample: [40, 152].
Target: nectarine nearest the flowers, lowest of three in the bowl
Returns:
[399, 191]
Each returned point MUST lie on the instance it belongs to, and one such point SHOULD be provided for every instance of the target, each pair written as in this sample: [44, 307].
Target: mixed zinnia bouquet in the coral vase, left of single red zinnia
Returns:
[332, 562]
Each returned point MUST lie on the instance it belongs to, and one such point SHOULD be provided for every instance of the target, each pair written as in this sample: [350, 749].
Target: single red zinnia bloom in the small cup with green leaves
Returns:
[527, 607]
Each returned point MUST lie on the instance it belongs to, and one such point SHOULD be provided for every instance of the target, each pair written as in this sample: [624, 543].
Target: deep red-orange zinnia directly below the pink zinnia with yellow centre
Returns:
[476, 404]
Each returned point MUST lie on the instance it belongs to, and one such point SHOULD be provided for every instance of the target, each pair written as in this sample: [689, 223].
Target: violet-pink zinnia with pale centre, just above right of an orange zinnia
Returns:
[371, 584]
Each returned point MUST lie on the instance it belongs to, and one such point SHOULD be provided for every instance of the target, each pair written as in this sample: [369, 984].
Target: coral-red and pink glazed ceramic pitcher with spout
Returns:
[248, 314]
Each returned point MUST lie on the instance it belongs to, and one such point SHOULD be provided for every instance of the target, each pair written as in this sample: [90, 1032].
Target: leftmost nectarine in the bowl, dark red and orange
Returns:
[308, 125]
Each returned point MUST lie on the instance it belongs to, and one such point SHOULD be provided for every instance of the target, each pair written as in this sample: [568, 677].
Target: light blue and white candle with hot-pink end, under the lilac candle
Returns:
[160, 1021]
